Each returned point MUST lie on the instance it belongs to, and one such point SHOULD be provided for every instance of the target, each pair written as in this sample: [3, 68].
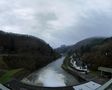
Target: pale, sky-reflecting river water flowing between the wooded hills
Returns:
[51, 75]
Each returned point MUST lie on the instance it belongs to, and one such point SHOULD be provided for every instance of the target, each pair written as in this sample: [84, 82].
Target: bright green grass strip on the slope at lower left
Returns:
[8, 75]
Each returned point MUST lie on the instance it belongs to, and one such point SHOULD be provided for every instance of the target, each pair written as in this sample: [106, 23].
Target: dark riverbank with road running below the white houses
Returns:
[91, 76]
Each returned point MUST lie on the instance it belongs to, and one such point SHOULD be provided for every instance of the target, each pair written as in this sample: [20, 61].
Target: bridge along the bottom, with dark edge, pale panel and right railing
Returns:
[16, 85]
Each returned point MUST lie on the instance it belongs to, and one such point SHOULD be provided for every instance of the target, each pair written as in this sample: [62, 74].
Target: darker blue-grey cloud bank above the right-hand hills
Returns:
[96, 24]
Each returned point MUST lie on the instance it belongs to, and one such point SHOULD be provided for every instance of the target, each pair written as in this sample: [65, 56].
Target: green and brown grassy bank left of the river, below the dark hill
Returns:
[7, 75]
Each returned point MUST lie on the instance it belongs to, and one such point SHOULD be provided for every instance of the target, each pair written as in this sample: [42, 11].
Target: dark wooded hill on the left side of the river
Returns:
[24, 51]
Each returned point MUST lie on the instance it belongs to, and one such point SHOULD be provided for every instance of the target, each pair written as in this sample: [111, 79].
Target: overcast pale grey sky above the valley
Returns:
[57, 22]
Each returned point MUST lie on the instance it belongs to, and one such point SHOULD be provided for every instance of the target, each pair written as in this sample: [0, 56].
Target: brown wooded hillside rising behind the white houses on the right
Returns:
[93, 51]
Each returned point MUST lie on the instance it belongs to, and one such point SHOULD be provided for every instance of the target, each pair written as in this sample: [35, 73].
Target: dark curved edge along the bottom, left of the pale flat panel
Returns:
[16, 85]
